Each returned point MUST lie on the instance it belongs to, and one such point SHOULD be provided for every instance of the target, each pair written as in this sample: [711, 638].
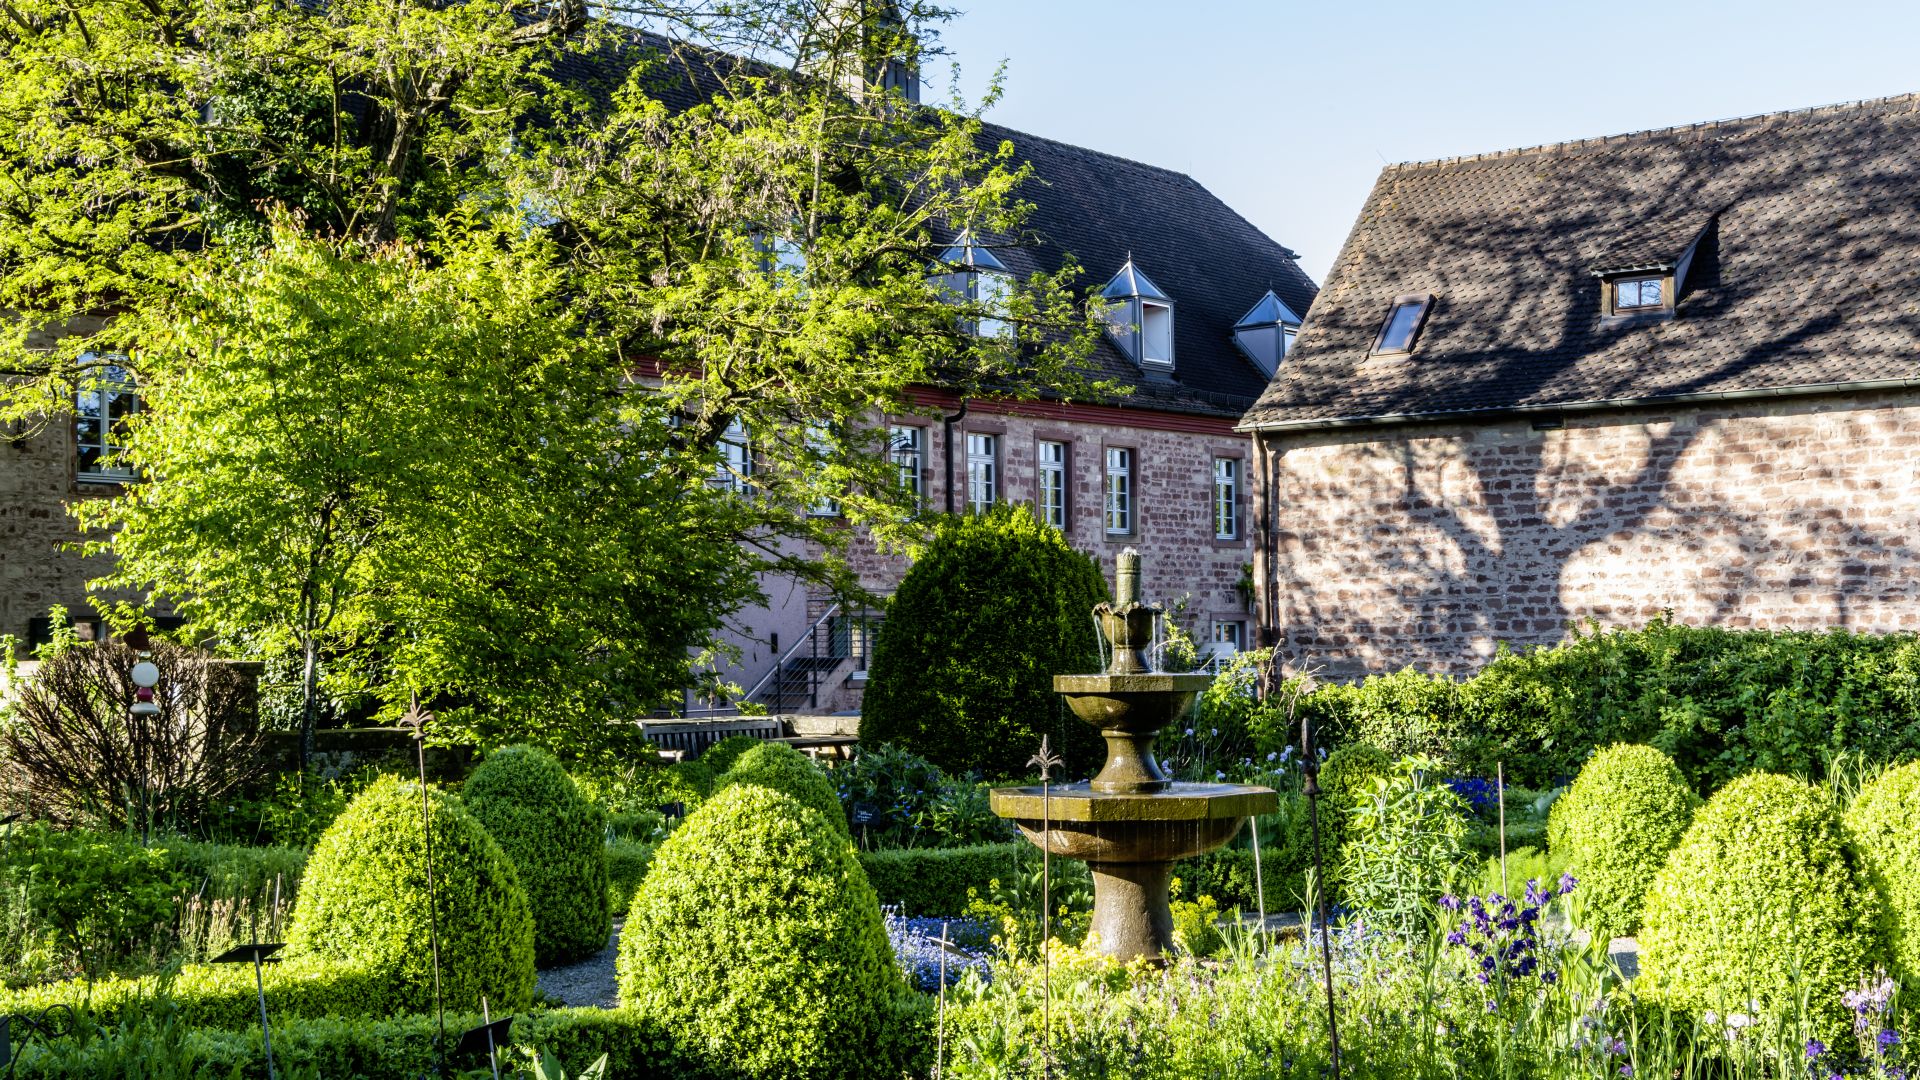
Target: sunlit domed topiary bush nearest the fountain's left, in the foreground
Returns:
[759, 945]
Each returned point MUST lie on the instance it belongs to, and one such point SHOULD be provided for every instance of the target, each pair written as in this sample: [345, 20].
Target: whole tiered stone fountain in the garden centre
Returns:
[1132, 822]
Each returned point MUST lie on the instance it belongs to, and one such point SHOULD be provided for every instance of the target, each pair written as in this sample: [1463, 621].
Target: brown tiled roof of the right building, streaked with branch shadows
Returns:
[1808, 274]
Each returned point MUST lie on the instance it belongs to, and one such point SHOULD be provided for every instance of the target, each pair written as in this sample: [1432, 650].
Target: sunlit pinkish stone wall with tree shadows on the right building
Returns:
[1429, 545]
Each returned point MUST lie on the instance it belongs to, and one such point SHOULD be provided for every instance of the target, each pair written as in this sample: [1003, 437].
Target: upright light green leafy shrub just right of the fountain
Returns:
[1403, 847]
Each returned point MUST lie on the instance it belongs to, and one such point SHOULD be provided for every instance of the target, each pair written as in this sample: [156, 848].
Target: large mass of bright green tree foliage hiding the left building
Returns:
[381, 274]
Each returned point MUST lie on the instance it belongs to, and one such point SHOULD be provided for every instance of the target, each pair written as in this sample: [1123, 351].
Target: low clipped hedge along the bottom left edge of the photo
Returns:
[366, 1050]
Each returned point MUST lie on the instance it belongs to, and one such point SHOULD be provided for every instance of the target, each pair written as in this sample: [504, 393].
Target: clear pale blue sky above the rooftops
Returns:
[1289, 110]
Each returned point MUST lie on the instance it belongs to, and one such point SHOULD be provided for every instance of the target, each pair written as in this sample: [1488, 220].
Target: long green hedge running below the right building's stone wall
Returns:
[1719, 702]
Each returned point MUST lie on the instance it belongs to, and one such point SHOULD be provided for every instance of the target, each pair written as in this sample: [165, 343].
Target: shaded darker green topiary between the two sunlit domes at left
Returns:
[558, 845]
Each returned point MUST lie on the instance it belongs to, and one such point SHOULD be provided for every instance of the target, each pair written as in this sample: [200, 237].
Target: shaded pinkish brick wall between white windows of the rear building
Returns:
[1174, 520]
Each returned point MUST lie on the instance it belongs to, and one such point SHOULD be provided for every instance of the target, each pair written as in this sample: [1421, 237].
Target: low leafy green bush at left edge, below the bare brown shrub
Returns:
[84, 900]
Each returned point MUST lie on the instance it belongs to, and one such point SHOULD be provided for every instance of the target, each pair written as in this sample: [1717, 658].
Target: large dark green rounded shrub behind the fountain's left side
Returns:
[967, 660]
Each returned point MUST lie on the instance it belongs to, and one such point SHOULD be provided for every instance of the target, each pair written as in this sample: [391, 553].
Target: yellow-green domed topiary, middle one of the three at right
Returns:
[1764, 900]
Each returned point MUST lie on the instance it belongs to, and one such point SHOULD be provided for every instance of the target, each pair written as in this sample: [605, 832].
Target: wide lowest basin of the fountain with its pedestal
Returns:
[1132, 843]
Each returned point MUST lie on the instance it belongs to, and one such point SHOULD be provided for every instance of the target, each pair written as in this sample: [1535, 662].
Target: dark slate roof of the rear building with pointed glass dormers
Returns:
[1101, 209]
